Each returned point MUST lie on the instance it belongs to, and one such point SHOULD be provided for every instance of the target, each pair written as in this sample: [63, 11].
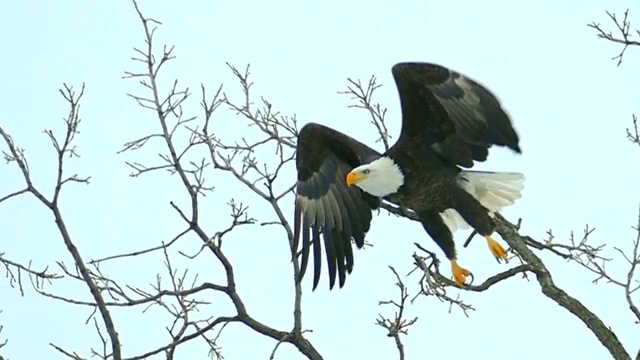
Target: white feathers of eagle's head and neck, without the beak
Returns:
[385, 177]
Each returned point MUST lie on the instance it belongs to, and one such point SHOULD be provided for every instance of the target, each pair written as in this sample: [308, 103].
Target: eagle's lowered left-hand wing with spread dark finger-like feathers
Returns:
[328, 213]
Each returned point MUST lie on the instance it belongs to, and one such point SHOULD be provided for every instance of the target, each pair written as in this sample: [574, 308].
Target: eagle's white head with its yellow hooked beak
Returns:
[380, 177]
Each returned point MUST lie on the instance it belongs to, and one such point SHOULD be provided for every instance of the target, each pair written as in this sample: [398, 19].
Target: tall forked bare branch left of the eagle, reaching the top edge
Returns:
[236, 159]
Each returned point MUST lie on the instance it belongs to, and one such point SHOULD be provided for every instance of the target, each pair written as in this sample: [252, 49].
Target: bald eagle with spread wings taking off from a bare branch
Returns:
[448, 122]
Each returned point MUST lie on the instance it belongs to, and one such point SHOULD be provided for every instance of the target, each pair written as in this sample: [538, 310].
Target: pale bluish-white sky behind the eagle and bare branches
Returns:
[569, 102]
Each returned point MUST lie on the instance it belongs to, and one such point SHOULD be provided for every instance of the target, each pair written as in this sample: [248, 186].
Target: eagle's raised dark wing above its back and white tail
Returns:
[456, 116]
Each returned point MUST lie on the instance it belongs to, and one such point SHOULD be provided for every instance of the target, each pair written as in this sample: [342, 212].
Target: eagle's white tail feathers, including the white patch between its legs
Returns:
[494, 190]
